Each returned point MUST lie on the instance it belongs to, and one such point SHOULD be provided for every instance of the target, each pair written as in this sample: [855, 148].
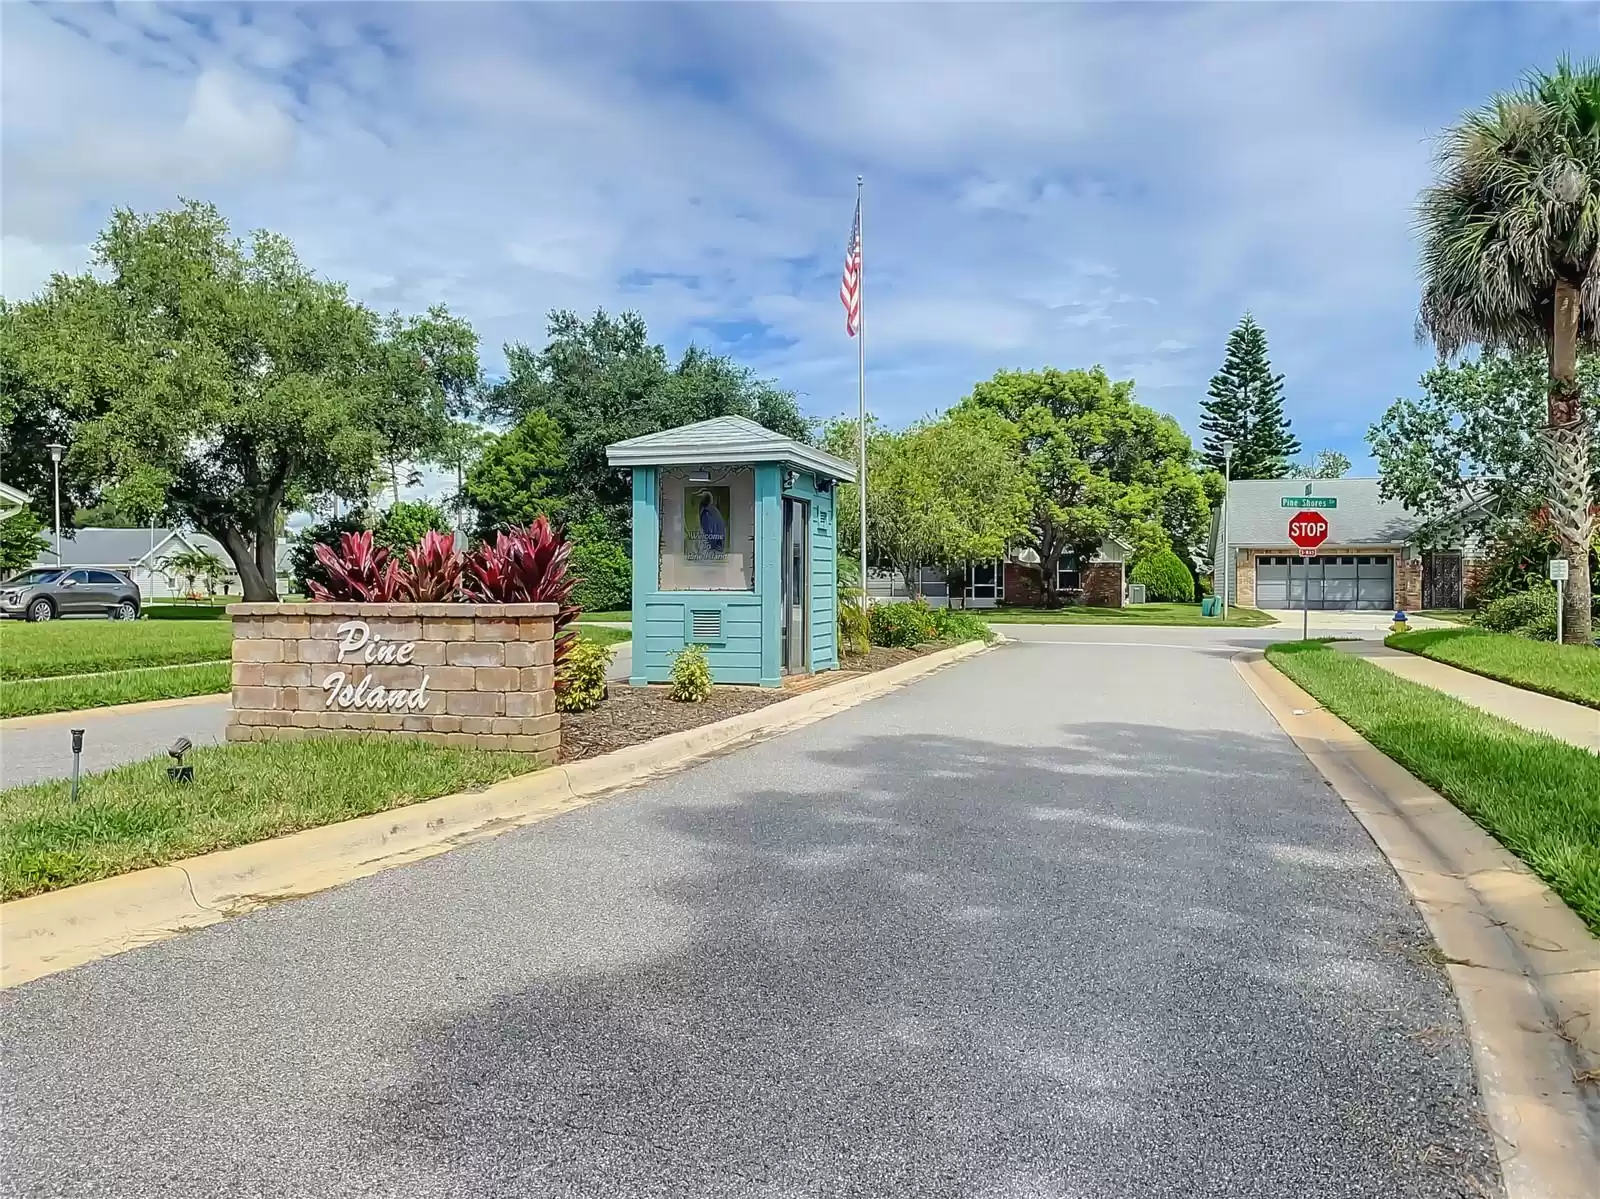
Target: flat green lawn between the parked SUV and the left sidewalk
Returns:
[82, 648]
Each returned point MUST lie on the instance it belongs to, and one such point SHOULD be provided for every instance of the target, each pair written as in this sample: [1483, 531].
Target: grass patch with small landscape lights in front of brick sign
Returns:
[134, 817]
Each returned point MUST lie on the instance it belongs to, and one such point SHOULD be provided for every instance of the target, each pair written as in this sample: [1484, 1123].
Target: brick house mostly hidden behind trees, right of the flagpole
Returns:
[1018, 580]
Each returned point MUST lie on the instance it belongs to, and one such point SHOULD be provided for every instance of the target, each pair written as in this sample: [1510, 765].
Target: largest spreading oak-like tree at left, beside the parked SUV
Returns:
[220, 385]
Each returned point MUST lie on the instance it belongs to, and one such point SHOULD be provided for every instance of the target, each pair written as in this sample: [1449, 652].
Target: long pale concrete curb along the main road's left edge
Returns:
[58, 931]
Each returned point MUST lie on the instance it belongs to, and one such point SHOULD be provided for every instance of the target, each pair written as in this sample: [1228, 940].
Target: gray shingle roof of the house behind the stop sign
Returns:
[1258, 519]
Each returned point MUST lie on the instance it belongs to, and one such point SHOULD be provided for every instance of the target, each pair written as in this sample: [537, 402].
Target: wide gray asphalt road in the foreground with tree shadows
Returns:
[1068, 920]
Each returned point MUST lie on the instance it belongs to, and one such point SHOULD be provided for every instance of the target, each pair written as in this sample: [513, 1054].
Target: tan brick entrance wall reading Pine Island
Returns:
[478, 676]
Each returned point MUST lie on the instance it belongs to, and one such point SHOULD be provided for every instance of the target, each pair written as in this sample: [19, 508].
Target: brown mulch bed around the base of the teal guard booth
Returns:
[633, 715]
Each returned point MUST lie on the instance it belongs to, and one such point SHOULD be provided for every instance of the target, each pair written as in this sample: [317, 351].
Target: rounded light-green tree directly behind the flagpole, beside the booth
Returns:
[942, 494]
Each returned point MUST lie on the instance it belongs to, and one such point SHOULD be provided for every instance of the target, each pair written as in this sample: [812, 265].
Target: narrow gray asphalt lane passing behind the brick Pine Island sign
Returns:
[38, 748]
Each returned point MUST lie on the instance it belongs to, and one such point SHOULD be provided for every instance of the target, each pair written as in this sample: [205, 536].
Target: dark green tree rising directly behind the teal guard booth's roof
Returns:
[602, 380]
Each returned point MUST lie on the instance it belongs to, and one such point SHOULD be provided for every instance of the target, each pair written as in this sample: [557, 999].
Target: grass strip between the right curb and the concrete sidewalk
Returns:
[1538, 796]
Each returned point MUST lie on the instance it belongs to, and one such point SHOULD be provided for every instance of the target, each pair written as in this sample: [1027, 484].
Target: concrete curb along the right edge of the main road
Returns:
[1524, 968]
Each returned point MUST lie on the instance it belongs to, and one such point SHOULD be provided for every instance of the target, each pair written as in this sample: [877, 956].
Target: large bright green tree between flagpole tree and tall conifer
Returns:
[1098, 465]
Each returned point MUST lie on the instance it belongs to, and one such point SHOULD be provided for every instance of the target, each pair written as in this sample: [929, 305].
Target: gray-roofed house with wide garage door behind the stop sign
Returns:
[1374, 558]
